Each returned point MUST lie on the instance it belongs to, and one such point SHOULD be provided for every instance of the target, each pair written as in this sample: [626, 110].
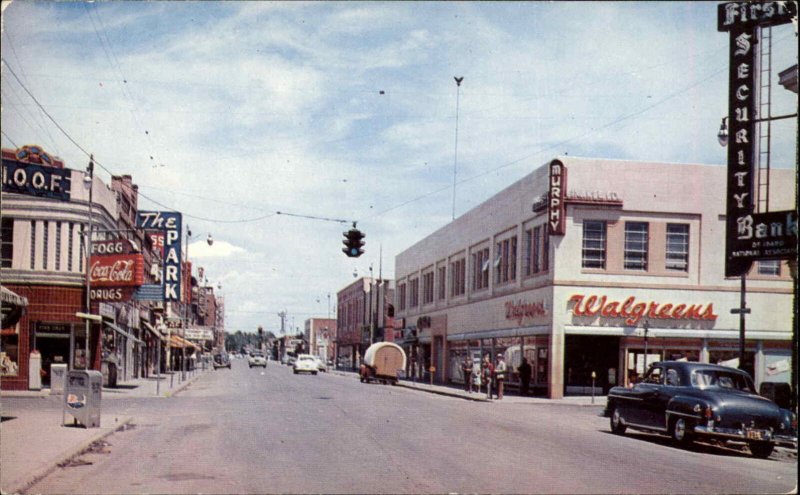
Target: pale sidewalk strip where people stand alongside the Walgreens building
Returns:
[509, 398]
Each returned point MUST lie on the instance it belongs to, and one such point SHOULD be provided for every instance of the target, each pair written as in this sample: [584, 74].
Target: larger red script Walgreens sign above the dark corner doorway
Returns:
[633, 311]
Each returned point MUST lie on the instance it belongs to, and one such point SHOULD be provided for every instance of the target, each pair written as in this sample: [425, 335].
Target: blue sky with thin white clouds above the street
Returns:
[273, 126]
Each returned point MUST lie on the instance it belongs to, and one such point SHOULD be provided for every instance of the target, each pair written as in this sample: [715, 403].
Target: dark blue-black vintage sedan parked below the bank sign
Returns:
[689, 400]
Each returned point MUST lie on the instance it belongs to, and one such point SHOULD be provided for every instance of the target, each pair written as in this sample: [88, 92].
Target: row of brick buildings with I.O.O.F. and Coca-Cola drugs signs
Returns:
[47, 212]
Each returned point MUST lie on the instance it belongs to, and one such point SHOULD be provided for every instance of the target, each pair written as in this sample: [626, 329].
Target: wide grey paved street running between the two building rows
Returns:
[269, 431]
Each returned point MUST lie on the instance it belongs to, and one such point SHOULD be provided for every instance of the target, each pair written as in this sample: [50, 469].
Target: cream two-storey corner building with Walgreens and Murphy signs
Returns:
[590, 269]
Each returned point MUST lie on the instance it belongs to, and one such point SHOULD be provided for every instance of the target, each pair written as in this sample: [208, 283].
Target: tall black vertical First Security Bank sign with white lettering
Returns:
[749, 235]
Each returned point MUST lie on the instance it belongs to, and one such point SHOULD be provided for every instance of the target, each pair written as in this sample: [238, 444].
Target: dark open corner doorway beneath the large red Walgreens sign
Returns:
[587, 354]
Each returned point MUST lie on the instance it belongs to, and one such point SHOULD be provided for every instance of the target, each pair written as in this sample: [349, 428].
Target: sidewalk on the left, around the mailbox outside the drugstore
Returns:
[33, 440]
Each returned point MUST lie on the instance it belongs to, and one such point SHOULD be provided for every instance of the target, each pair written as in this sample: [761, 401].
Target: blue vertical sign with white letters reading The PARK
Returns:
[170, 224]
